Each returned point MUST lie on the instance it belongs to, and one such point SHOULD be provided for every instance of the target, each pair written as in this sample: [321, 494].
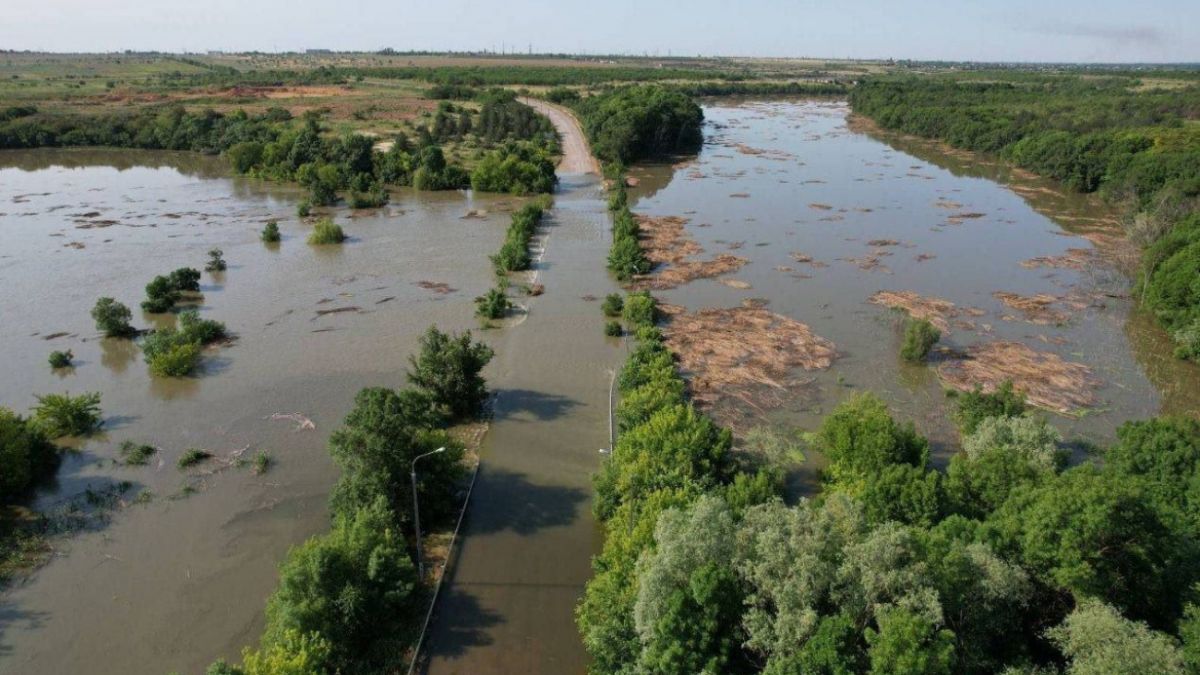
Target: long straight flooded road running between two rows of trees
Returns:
[513, 586]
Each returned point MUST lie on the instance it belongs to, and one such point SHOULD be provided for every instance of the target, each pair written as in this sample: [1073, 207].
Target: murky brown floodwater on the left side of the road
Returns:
[172, 584]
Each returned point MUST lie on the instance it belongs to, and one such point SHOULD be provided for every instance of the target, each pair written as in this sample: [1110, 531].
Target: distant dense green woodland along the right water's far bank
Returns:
[1138, 147]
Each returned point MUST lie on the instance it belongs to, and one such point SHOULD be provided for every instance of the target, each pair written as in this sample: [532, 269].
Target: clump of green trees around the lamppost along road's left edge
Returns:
[352, 600]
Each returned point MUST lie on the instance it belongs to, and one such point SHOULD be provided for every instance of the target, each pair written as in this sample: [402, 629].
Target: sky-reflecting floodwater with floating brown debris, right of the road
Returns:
[827, 217]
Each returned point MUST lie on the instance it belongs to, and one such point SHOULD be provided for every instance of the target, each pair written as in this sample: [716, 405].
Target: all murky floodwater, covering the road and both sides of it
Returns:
[176, 583]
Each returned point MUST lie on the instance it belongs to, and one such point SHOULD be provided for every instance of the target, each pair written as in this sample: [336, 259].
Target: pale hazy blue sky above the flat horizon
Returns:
[980, 31]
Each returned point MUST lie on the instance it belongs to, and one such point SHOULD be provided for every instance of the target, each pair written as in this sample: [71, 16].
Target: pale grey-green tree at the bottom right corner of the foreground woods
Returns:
[1097, 641]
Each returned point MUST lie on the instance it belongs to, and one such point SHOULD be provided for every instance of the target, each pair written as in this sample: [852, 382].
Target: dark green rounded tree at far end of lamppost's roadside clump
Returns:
[449, 368]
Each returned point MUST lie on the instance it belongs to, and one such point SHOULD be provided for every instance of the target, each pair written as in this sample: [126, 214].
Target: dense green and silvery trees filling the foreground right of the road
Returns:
[1007, 561]
